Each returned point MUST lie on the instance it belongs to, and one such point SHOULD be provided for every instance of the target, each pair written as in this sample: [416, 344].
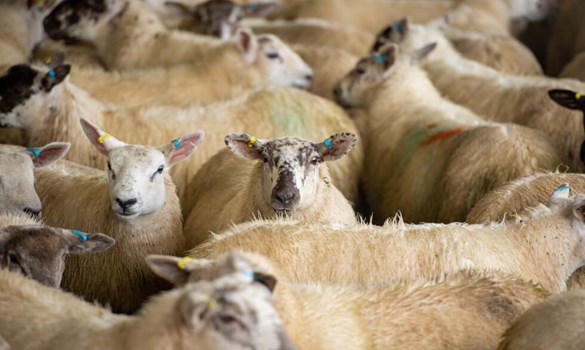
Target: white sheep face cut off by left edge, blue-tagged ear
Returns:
[17, 181]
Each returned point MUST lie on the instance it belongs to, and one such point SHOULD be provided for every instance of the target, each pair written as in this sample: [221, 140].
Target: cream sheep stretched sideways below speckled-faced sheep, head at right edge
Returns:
[308, 252]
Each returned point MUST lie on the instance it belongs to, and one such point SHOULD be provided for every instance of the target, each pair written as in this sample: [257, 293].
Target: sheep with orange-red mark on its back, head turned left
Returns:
[407, 133]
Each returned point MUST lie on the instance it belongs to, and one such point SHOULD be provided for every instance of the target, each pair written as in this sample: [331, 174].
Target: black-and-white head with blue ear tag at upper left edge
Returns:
[24, 90]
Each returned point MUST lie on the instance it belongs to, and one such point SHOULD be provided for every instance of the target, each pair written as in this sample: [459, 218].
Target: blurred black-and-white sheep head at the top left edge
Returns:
[80, 20]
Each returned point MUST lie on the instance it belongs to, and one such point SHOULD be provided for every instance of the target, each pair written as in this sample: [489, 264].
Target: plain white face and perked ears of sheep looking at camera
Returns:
[137, 173]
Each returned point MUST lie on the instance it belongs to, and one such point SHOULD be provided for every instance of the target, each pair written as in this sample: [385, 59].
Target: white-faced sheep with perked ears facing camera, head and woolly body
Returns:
[135, 202]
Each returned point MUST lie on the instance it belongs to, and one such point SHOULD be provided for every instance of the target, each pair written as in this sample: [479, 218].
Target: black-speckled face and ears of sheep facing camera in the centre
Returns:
[290, 174]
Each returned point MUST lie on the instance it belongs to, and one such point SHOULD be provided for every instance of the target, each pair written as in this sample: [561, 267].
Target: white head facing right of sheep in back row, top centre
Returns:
[282, 65]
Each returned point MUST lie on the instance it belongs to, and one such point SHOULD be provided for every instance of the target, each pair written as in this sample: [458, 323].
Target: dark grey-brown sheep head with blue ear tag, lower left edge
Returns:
[39, 252]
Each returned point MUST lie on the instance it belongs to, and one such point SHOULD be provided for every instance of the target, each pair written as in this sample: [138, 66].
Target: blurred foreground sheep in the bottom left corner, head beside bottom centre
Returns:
[226, 314]
